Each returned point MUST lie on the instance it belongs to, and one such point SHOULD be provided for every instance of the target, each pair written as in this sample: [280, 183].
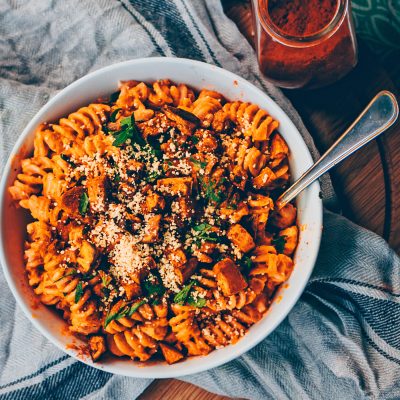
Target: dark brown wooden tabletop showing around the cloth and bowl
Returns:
[367, 183]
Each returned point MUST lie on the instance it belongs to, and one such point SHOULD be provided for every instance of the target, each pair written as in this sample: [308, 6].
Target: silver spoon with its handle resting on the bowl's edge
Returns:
[379, 115]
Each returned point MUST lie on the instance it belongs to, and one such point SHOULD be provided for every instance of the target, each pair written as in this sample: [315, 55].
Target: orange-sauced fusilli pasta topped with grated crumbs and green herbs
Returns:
[155, 231]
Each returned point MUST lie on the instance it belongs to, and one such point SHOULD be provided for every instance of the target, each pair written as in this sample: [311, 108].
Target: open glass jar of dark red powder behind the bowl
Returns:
[304, 43]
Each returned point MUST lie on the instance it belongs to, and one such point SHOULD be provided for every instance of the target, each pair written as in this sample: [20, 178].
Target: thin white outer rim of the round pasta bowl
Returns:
[147, 371]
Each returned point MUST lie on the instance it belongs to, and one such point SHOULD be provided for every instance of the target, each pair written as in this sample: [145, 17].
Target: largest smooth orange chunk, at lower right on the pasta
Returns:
[229, 278]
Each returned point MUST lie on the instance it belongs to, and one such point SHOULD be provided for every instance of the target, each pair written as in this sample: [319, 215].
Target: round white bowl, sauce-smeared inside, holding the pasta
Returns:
[104, 82]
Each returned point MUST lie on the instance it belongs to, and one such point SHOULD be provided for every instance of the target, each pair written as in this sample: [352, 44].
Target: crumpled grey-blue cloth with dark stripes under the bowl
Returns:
[342, 338]
